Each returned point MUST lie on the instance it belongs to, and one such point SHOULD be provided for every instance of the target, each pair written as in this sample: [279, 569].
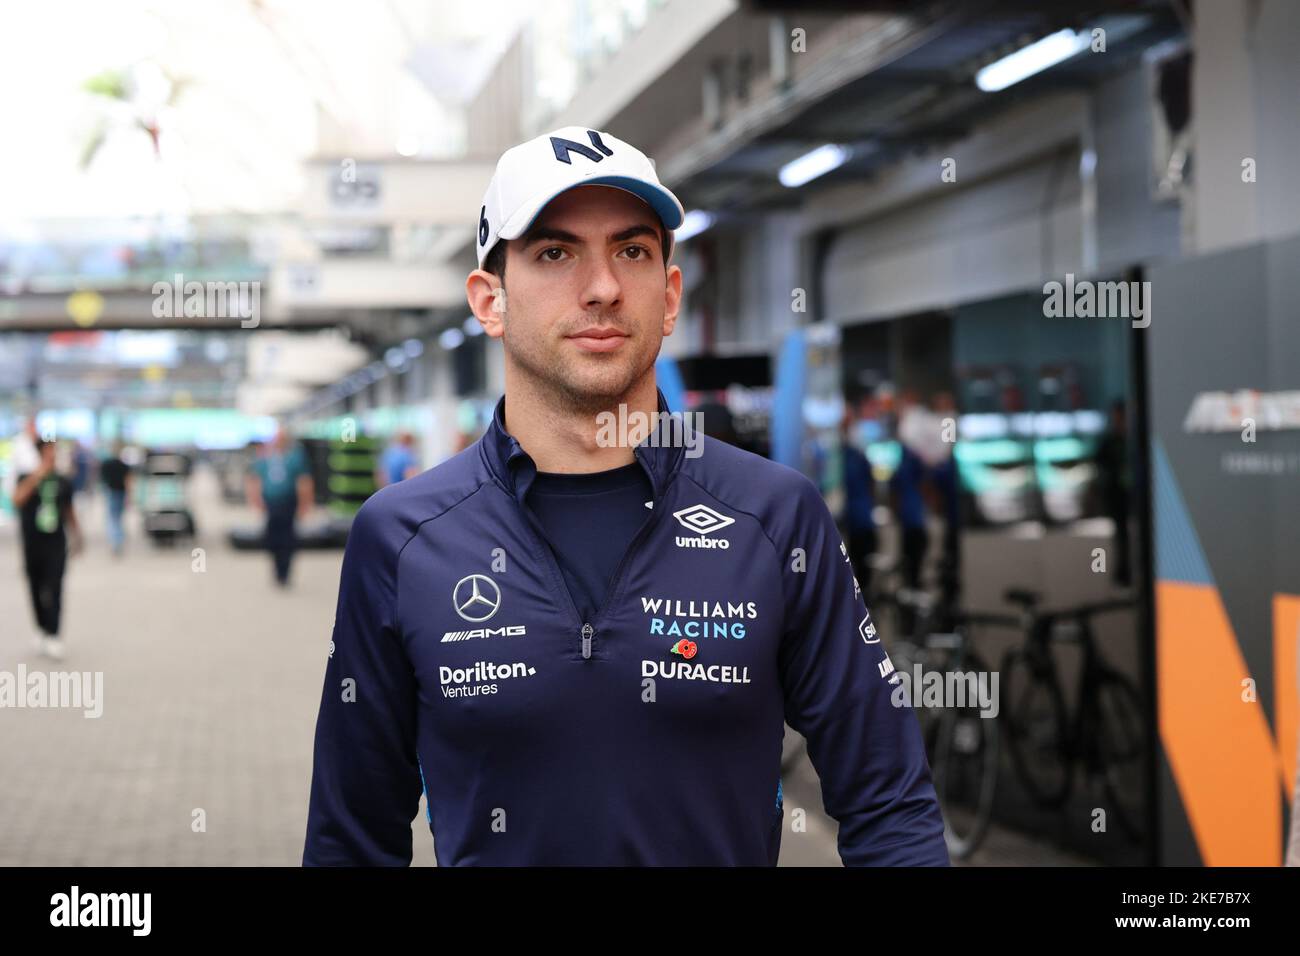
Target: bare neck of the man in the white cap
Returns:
[564, 440]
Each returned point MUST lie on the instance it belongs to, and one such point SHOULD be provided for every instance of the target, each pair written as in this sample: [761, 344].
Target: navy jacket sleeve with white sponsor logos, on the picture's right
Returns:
[866, 750]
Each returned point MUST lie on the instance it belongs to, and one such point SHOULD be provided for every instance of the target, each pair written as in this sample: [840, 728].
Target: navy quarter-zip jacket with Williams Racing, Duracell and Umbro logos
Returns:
[648, 736]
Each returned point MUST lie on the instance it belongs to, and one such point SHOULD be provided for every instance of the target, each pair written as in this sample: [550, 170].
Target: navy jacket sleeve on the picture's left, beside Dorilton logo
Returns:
[366, 778]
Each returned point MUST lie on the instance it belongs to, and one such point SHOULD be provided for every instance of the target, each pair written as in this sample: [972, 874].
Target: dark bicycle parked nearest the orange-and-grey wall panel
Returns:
[1106, 736]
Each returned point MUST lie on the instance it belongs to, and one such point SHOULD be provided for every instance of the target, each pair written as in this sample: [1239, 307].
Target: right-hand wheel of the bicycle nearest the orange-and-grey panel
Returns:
[1120, 749]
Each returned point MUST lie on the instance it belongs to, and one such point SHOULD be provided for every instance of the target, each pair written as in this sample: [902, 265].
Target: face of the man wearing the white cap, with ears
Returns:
[592, 263]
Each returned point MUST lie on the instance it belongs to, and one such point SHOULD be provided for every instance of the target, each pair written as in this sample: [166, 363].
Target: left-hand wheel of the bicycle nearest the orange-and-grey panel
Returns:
[1035, 726]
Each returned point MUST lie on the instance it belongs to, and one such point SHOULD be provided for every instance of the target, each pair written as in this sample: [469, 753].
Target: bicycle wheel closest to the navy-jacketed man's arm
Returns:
[964, 767]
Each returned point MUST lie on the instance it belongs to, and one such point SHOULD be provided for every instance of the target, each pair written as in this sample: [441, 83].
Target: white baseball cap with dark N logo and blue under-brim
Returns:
[531, 175]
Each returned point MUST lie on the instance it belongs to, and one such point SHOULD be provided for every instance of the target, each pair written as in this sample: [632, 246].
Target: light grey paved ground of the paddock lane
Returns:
[211, 684]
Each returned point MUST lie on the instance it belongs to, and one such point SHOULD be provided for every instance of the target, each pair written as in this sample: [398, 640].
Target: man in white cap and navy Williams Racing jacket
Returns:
[584, 648]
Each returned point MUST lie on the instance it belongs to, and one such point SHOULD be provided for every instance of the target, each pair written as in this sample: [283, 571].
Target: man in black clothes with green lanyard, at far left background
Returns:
[45, 501]
